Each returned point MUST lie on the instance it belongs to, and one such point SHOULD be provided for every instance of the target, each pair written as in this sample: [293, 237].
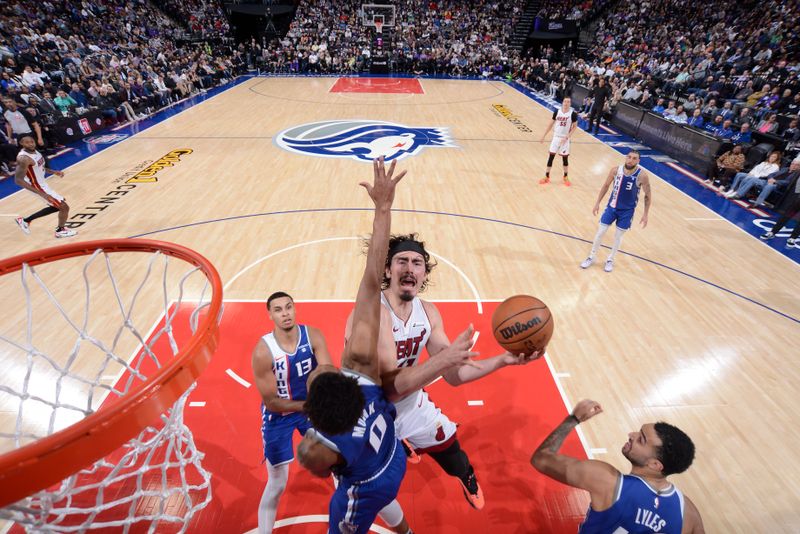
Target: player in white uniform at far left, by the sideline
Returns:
[30, 176]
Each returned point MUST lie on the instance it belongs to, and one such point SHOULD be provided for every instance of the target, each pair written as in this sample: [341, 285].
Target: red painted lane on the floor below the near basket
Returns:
[521, 405]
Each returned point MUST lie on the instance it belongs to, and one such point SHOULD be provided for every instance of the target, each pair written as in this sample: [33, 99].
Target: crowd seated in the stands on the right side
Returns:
[729, 69]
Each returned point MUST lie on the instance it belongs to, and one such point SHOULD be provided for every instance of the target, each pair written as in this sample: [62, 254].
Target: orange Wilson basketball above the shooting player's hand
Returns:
[522, 324]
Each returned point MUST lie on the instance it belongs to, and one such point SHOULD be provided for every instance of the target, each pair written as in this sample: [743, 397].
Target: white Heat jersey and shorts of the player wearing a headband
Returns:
[418, 420]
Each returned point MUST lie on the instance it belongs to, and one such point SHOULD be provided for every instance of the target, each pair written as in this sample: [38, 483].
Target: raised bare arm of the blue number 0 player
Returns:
[360, 351]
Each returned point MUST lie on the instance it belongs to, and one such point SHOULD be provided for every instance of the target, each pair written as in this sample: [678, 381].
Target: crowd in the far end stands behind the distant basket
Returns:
[436, 37]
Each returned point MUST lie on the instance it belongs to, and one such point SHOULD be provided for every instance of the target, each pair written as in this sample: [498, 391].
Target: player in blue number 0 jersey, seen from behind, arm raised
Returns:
[353, 433]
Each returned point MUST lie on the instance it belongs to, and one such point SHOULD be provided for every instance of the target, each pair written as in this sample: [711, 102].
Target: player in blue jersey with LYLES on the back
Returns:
[641, 502]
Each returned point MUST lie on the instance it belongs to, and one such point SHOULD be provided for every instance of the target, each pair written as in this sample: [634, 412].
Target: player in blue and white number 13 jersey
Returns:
[282, 362]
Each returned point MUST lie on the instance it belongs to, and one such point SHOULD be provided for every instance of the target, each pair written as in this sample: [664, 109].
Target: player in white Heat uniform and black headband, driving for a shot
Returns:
[408, 325]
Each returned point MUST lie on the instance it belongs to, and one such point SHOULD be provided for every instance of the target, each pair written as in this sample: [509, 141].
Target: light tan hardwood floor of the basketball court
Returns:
[685, 331]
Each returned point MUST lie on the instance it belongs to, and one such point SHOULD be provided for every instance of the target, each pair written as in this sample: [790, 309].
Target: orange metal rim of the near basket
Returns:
[49, 460]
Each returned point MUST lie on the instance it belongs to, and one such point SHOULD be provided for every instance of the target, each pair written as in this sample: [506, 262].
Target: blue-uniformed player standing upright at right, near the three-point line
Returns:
[625, 182]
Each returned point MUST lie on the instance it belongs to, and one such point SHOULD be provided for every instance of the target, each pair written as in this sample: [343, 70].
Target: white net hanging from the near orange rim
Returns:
[153, 481]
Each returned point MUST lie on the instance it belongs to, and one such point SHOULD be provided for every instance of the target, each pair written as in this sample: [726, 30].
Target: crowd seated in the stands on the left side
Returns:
[65, 58]
